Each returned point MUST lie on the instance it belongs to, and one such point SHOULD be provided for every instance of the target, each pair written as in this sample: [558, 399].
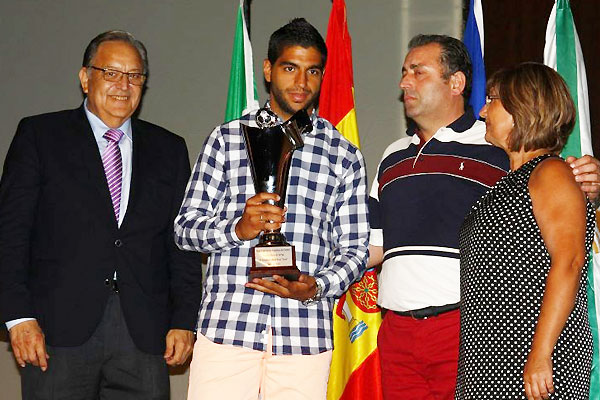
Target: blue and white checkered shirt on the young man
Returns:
[326, 221]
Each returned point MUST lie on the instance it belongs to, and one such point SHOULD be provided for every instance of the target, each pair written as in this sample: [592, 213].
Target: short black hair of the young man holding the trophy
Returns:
[298, 32]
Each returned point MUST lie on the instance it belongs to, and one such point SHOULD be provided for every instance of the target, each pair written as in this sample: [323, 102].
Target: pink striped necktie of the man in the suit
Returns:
[113, 167]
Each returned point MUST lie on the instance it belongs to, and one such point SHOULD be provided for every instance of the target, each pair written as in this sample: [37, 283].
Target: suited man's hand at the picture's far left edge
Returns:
[28, 344]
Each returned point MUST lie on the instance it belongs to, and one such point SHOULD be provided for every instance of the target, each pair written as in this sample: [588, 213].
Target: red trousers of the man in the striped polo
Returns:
[419, 357]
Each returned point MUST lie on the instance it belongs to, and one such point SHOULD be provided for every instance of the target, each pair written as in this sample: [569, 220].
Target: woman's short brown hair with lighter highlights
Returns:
[540, 103]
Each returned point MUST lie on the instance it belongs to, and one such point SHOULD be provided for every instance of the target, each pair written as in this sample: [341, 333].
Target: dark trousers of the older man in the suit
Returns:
[107, 367]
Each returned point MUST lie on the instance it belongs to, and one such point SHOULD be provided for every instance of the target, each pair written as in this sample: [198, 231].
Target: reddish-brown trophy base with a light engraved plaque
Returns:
[270, 259]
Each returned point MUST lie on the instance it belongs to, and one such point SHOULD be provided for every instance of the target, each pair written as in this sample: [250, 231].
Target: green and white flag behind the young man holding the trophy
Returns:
[242, 96]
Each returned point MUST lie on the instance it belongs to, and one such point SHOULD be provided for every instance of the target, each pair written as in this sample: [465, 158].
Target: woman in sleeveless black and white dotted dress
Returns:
[523, 252]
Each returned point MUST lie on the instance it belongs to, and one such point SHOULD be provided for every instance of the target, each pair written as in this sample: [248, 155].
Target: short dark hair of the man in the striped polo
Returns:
[454, 57]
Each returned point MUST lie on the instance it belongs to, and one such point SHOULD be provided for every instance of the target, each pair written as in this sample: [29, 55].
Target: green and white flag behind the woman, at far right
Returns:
[563, 53]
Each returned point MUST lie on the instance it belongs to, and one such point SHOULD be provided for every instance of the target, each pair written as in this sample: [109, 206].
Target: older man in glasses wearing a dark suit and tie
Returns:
[95, 294]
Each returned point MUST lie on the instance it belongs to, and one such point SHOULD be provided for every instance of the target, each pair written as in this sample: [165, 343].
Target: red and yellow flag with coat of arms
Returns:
[355, 369]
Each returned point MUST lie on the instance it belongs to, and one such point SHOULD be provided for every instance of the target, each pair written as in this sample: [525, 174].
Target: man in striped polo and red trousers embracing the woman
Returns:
[425, 184]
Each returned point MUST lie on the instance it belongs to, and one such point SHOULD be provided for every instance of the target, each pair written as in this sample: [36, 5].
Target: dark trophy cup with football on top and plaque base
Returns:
[270, 149]
